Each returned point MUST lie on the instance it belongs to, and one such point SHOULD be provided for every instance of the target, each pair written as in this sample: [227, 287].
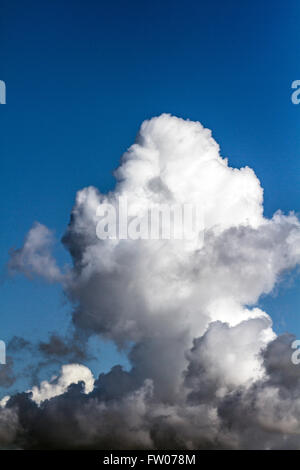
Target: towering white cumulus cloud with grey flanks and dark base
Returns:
[207, 369]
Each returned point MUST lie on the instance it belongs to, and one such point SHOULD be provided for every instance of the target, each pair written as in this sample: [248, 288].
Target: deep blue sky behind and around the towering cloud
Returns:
[82, 76]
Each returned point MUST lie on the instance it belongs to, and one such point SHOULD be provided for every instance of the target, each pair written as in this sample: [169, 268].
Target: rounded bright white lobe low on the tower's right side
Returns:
[225, 358]
